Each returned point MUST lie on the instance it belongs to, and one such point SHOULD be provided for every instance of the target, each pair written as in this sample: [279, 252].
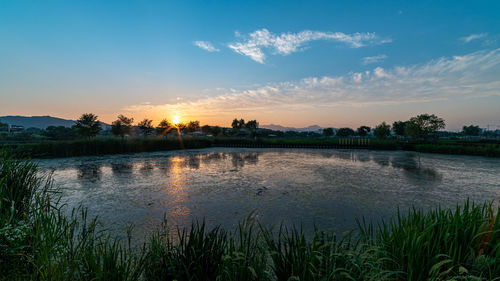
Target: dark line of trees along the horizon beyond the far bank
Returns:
[89, 126]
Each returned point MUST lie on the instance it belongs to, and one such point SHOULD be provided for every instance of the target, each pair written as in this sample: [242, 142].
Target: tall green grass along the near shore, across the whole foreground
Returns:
[37, 242]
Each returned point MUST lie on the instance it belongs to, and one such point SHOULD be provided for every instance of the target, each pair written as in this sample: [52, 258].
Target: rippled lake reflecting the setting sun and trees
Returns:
[308, 187]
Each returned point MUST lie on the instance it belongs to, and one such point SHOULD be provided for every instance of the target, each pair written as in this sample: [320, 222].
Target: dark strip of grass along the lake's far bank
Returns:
[111, 145]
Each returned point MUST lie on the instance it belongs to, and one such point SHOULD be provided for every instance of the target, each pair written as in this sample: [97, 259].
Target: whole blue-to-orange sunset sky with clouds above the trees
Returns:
[293, 63]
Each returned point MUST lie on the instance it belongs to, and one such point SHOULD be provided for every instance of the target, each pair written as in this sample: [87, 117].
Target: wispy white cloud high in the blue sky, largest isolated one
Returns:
[287, 43]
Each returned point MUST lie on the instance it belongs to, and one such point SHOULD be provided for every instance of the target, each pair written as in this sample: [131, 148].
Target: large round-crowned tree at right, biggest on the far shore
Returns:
[424, 125]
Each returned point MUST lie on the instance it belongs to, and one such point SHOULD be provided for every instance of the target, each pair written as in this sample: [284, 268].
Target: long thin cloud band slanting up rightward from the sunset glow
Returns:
[472, 75]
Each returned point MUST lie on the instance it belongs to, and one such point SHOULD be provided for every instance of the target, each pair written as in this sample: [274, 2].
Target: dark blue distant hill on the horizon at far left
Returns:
[40, 122]
